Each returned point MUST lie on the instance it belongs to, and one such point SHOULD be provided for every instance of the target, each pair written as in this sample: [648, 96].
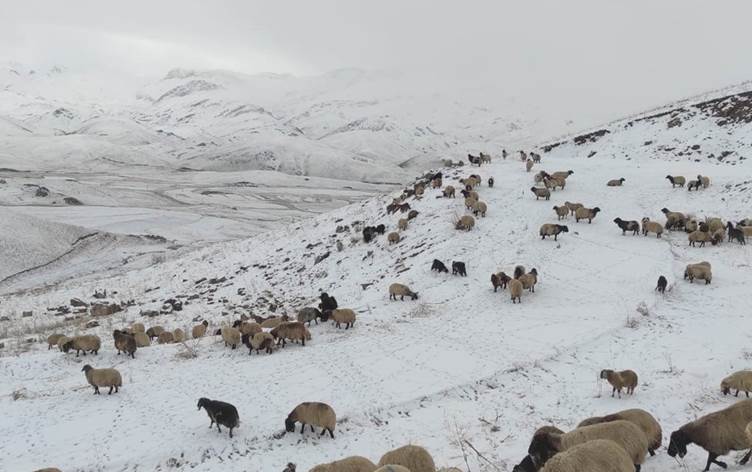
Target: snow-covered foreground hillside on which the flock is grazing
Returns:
[460, 363]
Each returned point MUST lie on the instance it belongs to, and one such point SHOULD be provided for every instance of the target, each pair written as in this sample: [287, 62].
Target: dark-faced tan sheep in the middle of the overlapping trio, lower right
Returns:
[626, 434]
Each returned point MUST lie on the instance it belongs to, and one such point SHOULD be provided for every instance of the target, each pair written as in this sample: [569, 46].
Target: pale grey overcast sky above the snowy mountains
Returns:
[618, 55]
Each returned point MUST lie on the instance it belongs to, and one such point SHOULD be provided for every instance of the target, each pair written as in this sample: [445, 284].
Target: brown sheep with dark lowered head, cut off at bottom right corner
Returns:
[718, 433]
